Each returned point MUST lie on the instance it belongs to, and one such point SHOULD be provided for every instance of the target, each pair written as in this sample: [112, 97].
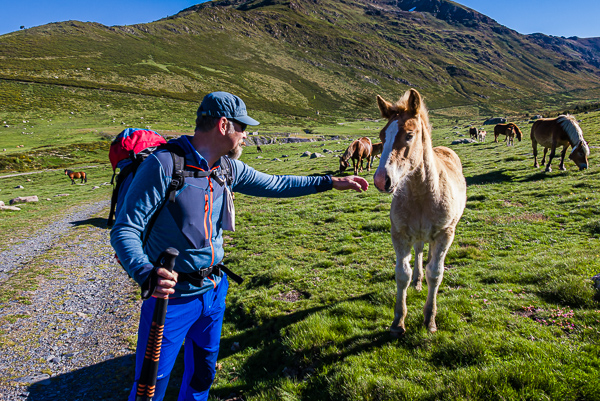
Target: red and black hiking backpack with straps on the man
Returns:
[132, 146]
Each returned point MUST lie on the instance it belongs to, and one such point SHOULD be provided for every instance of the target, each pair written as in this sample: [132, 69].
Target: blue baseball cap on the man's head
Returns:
[222, 104]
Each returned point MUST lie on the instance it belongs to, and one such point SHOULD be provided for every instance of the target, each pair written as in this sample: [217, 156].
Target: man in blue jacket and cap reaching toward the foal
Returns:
[192, 221]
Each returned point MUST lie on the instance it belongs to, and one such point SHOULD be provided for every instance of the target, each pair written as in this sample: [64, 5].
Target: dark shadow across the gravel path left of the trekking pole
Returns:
[108, 380]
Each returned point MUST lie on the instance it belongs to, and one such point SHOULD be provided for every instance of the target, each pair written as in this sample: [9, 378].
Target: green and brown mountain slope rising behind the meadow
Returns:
[299, 56]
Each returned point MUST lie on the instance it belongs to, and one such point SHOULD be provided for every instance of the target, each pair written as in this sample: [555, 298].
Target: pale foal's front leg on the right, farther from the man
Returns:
[434, 274]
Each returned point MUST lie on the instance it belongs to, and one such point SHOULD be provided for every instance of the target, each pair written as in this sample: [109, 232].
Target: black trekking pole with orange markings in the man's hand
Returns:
[147, 383]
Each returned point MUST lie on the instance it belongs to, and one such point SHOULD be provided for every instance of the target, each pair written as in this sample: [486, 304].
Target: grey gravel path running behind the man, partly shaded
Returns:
[66, 332]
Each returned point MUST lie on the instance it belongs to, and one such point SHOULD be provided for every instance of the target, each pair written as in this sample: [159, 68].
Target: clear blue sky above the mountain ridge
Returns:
[552, 17]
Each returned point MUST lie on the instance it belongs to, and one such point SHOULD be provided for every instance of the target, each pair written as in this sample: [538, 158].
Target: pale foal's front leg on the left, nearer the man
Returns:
[403, 276]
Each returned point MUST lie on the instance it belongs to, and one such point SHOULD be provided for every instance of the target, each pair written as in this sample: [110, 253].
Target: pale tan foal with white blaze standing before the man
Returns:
[429, 196]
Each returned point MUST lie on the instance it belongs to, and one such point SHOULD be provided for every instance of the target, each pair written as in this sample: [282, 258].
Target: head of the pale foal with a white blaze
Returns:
[403, 137]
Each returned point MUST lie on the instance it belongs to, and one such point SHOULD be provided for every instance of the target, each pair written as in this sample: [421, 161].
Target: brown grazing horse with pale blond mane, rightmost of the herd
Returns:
[560, 131]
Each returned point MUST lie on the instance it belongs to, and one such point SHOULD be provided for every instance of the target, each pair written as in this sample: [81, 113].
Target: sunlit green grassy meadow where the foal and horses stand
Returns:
[518, 317]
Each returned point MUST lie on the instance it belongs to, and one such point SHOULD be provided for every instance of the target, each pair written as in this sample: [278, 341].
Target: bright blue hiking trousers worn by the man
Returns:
[198, 321]
